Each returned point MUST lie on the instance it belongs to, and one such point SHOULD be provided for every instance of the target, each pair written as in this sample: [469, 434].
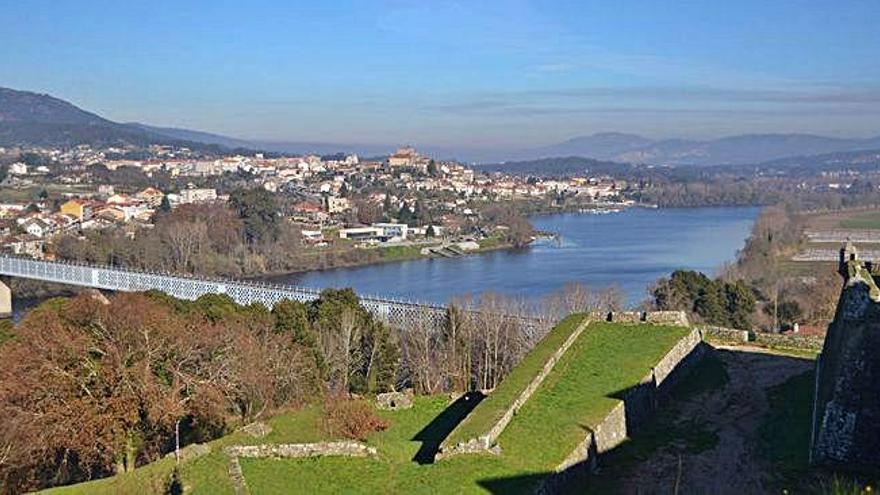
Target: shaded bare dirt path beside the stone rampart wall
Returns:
[734, 465]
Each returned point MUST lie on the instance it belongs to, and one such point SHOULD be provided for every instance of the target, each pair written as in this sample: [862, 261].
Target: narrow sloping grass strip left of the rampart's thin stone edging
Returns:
[493, 407]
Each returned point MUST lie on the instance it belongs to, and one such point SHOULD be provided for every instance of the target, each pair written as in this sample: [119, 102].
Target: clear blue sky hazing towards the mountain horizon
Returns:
[469, 73]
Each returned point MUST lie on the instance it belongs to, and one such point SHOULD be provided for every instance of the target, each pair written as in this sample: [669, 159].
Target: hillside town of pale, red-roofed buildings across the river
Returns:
[404, 199]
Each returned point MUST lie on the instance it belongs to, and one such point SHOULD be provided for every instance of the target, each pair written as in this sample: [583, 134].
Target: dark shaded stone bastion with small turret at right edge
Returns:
[846, 409]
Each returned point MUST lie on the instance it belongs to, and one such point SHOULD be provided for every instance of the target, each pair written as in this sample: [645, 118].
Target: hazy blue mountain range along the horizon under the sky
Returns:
[28, 118]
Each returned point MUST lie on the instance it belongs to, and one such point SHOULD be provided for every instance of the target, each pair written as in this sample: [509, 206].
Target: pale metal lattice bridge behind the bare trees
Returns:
[397, 313]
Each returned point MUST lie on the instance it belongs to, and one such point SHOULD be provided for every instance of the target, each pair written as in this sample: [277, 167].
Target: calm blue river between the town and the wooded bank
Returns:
[630, 249]
